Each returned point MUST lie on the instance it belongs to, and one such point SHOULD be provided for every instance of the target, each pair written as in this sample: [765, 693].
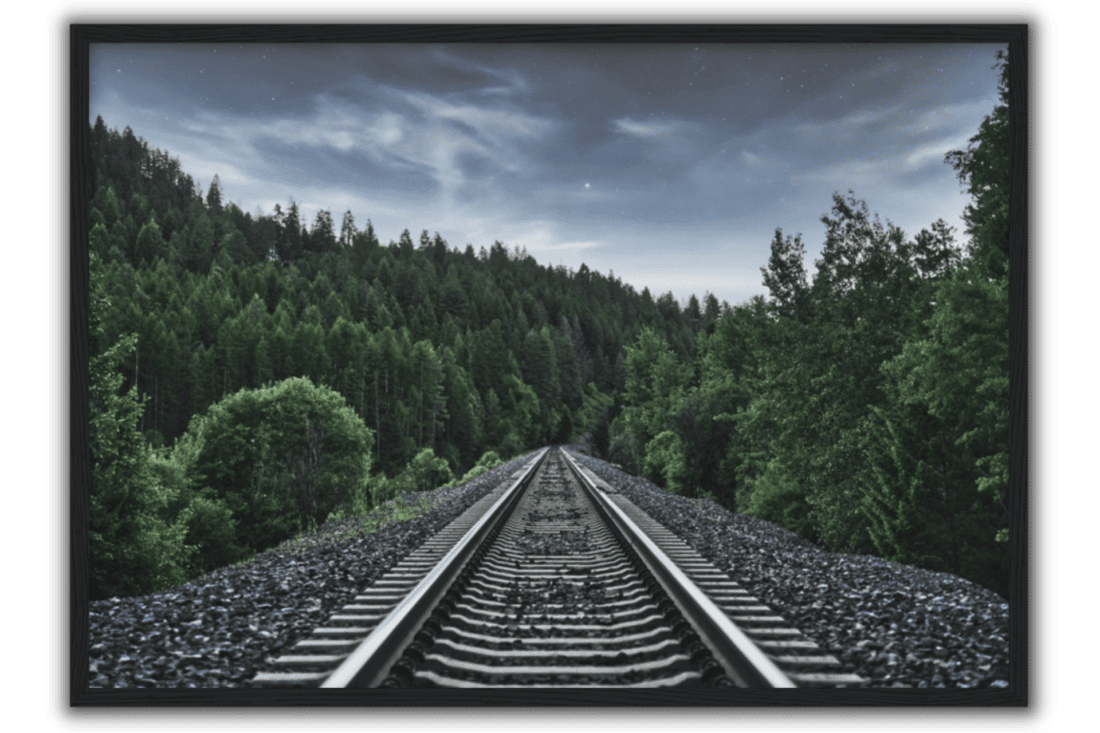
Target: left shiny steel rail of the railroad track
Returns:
[370, 663]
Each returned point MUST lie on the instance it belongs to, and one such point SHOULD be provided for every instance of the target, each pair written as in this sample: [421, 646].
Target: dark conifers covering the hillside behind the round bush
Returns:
[459, 352]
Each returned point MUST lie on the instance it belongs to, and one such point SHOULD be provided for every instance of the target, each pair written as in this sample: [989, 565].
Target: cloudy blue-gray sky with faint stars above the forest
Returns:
[670, 166]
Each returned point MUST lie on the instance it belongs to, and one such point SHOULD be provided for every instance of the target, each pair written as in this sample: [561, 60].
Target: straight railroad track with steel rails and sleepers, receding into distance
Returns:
[556, 581]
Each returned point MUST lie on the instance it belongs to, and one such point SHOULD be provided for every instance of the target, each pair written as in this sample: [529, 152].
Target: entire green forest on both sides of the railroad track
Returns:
[251, 376]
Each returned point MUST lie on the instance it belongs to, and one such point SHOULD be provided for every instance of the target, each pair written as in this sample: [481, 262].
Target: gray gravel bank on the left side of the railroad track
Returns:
[221, 630]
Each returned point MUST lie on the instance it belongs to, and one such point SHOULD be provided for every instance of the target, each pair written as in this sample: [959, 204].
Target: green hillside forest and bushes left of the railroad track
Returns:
[442, 357]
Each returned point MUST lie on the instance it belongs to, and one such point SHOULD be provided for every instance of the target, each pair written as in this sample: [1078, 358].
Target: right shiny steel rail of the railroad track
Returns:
[741, 659]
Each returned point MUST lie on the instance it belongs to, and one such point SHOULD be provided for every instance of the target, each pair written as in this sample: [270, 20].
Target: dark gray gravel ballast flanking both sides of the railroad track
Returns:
[894, 625]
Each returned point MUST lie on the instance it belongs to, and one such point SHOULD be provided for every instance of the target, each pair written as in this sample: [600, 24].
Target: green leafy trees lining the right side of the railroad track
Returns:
[868, 410]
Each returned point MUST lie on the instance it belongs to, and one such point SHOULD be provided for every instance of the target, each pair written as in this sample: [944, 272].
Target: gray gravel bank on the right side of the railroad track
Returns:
[895, 625]
